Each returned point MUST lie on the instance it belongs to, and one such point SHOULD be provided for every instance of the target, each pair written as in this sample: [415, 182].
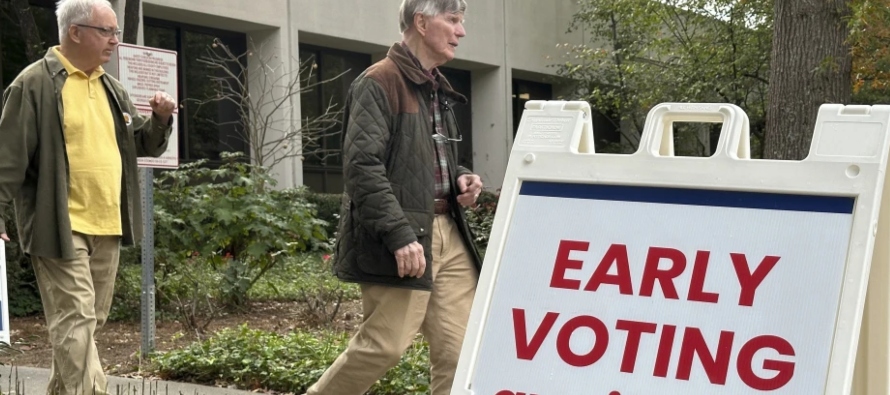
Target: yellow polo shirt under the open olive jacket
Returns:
[94, 160]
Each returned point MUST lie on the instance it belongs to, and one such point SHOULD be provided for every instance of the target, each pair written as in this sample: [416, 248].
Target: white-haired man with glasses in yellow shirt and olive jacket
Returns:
[70, 137]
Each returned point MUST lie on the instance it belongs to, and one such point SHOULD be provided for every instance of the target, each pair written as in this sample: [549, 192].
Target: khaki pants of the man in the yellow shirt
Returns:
[76, 296]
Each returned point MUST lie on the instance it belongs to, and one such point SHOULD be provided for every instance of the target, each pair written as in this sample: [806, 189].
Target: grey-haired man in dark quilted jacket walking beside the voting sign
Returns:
[403, 234]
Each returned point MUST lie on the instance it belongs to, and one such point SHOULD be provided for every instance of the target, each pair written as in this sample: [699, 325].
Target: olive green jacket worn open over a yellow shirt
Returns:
[34, 161]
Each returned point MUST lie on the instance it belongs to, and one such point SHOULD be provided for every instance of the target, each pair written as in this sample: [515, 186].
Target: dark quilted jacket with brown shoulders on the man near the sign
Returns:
[388, 157]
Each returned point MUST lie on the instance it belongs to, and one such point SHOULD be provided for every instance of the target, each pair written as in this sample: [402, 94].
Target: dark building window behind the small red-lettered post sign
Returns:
[209, 129]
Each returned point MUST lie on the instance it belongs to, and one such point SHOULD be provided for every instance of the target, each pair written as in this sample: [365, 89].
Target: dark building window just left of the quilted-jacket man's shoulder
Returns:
[323, 164]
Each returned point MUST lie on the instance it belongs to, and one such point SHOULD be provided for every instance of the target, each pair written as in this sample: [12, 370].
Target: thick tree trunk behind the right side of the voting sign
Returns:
[810, 65]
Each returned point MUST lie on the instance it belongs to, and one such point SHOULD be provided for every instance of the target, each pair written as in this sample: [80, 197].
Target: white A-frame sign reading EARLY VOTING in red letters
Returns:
[651, 273]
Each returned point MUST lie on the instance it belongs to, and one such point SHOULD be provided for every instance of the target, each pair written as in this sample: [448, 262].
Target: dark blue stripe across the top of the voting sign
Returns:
[694, 197]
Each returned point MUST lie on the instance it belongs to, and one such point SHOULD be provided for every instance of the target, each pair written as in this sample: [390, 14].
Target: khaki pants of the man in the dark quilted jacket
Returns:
[393, 316]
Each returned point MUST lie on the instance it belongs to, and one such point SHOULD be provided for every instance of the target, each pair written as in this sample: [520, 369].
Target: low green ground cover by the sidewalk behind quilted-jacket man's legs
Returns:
[253, 359]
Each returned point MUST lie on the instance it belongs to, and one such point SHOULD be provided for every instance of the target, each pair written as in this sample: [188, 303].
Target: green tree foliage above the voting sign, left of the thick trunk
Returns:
[639, 53]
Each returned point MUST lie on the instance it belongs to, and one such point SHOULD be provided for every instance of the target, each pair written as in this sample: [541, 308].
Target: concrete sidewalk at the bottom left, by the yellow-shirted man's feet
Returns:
[33, 381]
